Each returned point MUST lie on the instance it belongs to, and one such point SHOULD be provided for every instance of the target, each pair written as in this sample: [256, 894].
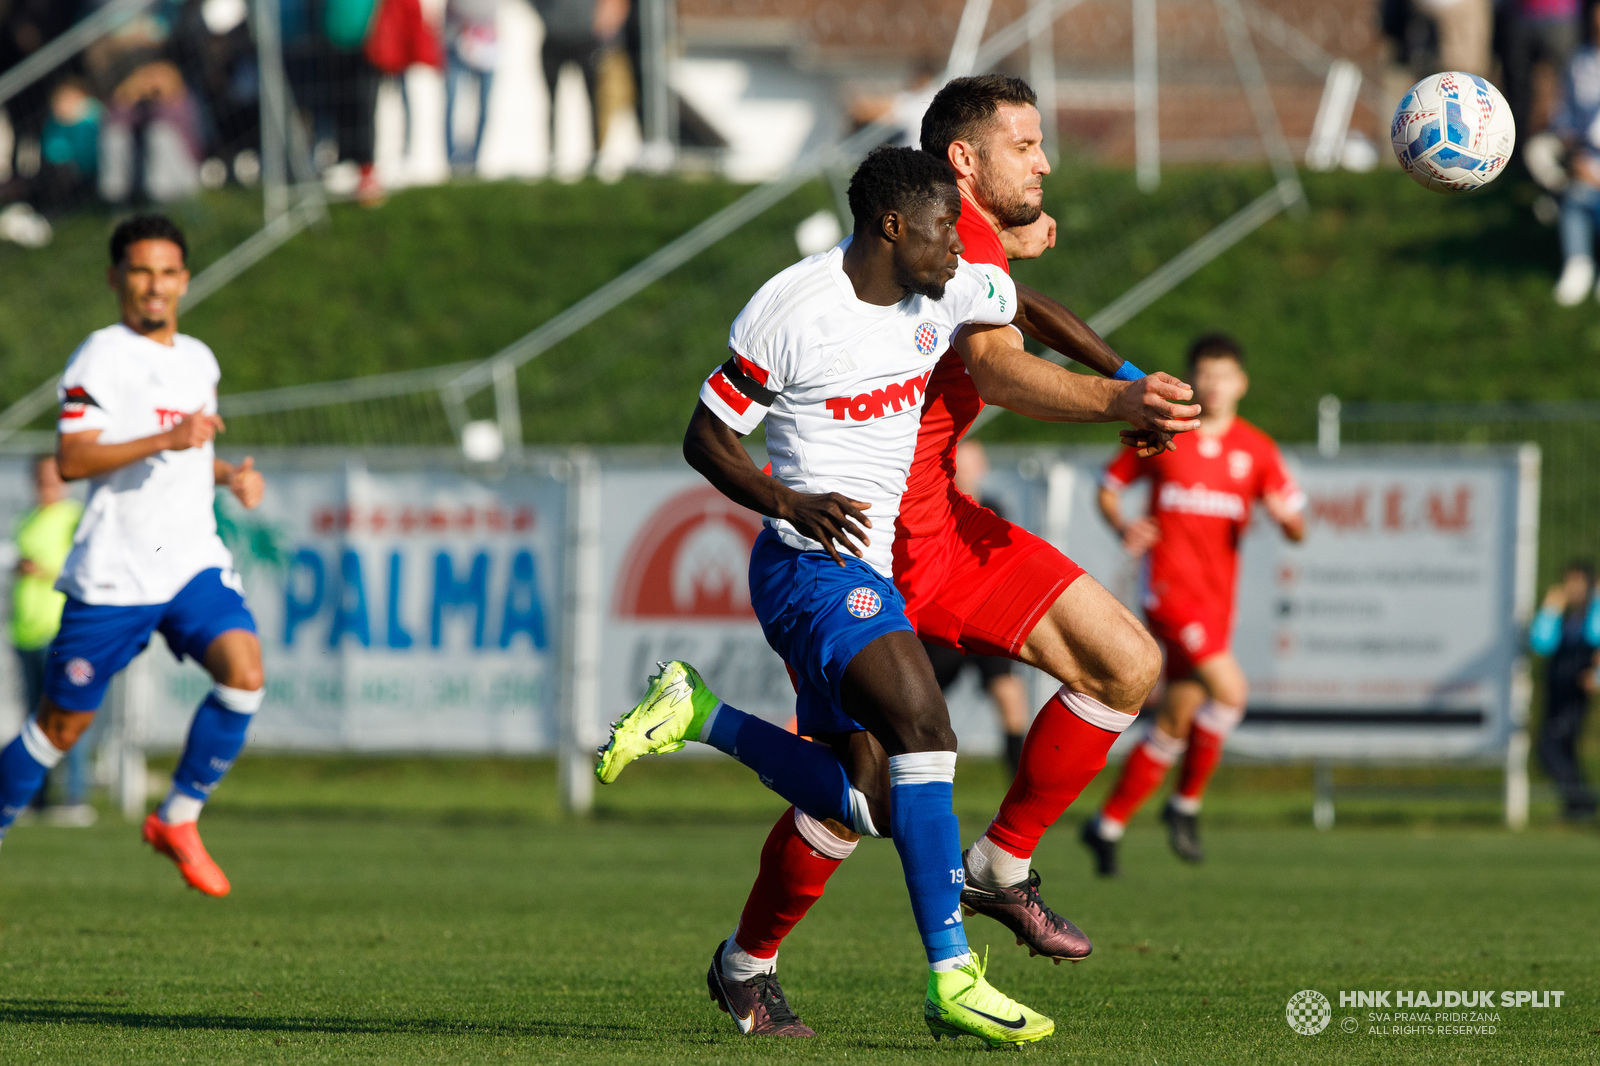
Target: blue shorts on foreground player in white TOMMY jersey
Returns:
[818, 617]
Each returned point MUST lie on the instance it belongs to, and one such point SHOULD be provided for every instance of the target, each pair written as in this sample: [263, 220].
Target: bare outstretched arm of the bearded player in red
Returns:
[1009, 377]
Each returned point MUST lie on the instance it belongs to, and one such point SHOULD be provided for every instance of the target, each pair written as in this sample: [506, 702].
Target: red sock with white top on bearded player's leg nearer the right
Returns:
[1063, 753]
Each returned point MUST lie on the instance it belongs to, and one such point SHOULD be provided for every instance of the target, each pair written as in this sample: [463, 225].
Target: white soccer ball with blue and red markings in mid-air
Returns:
[1454, 132]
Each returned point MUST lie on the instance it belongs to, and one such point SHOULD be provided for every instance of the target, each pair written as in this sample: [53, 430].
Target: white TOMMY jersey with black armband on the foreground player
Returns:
[841, 382]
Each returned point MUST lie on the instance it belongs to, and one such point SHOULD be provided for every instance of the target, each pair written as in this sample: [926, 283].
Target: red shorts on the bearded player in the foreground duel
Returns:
[980, 585]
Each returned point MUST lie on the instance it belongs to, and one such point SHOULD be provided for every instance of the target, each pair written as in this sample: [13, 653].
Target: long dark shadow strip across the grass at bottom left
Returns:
[70, 1012]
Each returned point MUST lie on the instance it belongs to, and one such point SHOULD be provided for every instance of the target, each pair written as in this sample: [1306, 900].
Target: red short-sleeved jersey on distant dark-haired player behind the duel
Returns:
[1201, 499]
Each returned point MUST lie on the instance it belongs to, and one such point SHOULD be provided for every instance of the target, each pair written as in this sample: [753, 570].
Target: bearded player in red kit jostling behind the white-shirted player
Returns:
[982, 585]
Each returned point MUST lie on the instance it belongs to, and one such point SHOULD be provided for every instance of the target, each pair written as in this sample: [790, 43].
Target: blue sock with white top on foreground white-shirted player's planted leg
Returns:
[930, 844]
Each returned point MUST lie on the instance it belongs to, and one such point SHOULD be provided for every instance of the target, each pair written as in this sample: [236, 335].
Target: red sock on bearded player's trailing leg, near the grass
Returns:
[798, 860]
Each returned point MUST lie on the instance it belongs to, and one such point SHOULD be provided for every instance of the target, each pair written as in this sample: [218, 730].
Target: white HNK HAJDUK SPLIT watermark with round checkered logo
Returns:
[1460, 1014]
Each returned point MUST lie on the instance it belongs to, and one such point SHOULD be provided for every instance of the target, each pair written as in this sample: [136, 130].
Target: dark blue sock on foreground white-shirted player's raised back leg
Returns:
[804, 774]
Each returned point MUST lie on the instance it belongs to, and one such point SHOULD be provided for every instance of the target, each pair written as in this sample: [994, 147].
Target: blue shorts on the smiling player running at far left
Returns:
[100, 639]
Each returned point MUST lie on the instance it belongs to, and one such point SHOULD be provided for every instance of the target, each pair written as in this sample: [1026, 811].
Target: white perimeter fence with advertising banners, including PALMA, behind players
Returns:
[409, 604]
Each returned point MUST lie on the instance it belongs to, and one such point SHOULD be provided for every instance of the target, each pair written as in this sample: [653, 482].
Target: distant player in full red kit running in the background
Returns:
[1201, 499]
